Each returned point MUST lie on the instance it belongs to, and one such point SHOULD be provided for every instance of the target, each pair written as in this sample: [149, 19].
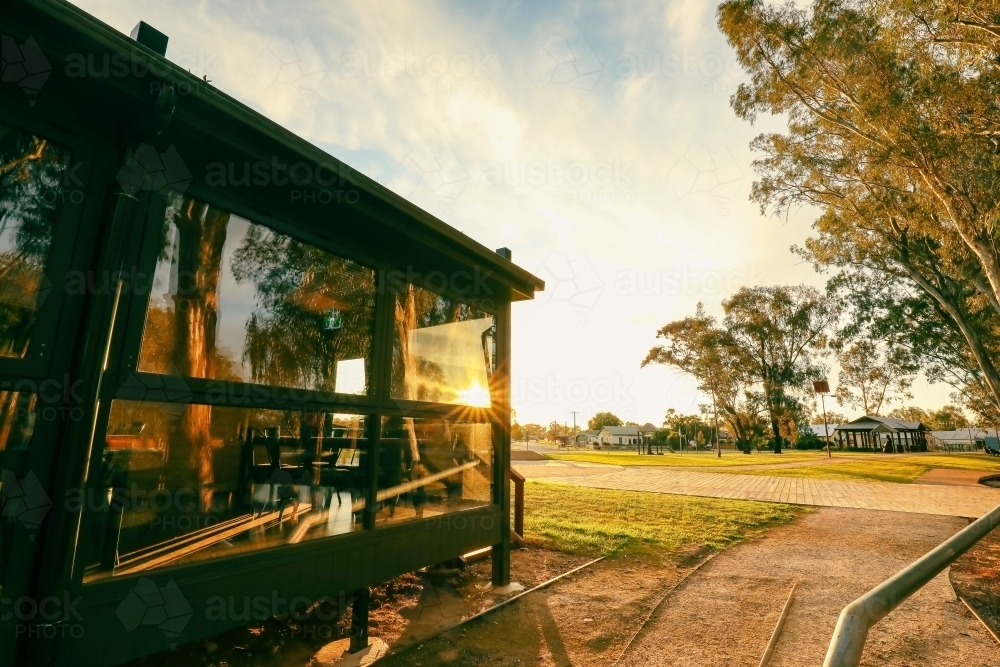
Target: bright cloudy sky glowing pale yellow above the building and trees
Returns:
[595, 140]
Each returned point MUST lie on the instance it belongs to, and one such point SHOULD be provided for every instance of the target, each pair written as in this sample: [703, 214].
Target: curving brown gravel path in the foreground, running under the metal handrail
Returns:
[725, 612]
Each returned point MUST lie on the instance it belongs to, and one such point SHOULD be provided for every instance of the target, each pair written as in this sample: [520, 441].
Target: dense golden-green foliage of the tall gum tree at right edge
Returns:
[893, 132]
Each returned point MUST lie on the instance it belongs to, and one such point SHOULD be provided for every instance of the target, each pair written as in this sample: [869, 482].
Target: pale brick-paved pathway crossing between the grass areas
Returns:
[964, 501]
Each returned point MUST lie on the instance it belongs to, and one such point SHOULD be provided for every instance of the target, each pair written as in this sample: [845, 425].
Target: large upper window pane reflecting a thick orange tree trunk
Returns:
[232, 300]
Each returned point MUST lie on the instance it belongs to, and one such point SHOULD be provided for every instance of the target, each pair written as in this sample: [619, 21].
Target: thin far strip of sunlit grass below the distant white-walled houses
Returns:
[700, 459]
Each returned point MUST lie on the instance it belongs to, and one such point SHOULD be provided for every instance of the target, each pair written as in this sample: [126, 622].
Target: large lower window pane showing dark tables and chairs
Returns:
[182, 483]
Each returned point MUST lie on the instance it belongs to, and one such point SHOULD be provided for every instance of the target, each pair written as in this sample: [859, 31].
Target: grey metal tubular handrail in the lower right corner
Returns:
[857, 618]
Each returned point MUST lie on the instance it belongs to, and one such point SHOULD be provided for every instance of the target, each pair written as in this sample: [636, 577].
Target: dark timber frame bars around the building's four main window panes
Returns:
[376, 405]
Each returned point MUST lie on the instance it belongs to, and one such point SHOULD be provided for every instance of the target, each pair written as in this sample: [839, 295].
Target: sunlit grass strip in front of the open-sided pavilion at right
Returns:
[898, 470]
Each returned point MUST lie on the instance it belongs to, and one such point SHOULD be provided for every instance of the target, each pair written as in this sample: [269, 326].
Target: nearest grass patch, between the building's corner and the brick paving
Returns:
[601, 522]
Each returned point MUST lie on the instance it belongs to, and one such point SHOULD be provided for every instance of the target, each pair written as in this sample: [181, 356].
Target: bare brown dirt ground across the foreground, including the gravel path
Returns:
[722, 614]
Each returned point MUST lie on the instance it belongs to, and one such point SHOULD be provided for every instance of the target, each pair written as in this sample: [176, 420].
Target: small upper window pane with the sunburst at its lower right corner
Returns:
[443, 350]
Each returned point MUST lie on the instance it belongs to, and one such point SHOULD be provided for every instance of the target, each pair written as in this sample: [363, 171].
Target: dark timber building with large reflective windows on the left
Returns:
[231, 366]
